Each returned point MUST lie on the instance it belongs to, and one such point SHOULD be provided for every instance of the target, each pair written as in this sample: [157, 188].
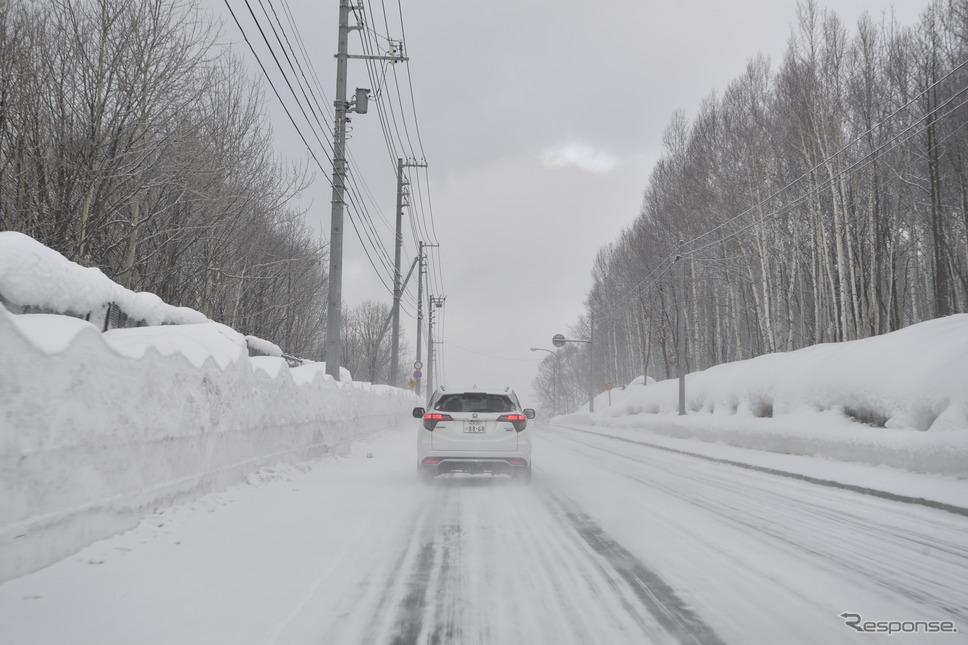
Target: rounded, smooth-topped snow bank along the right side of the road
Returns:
[900, 399]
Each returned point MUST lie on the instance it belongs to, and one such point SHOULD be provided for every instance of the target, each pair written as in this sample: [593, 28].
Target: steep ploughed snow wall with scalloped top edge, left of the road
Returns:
[99, 429]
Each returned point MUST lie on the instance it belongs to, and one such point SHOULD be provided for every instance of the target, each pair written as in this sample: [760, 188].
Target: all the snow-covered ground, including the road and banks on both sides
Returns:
[159, 485]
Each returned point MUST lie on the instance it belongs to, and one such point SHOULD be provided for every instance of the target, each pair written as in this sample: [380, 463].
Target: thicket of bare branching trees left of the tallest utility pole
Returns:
[129, 142]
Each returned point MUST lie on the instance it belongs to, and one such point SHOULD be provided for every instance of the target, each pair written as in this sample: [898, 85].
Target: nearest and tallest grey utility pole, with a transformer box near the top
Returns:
[334, 300]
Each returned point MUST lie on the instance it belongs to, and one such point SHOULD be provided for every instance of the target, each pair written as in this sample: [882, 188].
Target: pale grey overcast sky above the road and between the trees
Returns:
[540, 121]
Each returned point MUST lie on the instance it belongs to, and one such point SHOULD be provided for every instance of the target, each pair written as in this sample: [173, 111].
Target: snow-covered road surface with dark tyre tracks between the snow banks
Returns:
[616, 541]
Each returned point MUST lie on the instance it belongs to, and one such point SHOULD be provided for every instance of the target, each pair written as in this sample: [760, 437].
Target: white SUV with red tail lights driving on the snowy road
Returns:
[474, 431]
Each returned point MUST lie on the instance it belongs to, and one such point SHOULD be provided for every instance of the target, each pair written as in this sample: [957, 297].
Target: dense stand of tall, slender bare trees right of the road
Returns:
[826, 200]
